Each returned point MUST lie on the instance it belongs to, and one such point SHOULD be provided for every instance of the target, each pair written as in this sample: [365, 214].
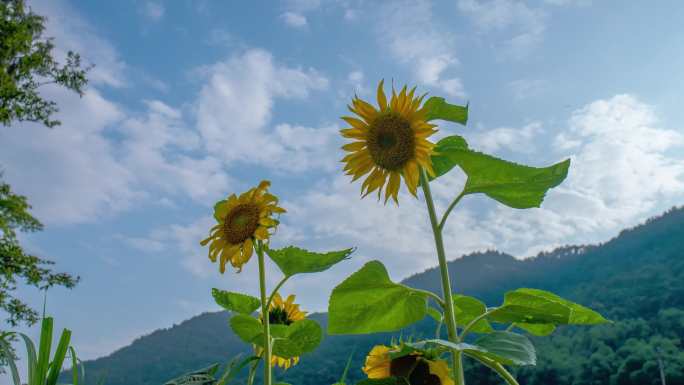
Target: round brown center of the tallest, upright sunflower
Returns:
[391, 141]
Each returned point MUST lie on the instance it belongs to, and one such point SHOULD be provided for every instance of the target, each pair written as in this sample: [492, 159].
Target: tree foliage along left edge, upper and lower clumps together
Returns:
[26, 64]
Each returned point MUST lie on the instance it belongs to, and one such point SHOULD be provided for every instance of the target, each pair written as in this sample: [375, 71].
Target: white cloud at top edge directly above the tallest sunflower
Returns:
[408, 29]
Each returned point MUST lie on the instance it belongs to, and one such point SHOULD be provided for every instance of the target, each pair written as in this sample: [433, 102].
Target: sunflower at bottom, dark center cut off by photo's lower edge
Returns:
[415, 367]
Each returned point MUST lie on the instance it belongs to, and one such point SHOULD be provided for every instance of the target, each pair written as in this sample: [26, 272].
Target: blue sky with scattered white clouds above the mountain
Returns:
[193, 100]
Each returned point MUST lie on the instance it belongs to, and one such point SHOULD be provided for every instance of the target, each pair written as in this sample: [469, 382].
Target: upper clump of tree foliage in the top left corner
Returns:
[27, 63]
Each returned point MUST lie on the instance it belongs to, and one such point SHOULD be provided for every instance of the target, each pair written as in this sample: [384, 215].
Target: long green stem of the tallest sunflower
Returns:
[449, 315]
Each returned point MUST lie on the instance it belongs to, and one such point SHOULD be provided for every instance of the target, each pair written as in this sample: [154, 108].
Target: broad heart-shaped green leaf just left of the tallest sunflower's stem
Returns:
[369, 302]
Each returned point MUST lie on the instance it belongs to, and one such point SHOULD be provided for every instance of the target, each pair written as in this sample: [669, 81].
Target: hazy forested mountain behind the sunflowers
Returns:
[635, 279]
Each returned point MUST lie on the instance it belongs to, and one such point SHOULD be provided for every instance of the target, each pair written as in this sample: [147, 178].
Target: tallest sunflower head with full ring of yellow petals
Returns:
[389, 142]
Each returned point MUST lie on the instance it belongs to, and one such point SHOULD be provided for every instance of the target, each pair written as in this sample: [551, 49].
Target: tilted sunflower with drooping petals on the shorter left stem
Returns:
[241, 222]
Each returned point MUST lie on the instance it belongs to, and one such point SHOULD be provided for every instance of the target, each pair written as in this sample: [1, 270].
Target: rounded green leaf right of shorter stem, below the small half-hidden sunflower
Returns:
[300, 337]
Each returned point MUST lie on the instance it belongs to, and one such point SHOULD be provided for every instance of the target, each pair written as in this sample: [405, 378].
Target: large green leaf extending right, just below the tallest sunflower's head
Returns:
[512, 184]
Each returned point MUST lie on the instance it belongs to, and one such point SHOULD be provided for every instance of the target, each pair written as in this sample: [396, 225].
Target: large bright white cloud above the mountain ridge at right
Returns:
[625, 168]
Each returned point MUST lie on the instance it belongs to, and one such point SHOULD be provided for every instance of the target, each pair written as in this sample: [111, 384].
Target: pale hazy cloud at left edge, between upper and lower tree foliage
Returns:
[69, 173]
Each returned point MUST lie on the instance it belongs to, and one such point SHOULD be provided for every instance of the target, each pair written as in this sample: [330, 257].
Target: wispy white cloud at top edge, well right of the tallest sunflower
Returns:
[522, 27]
